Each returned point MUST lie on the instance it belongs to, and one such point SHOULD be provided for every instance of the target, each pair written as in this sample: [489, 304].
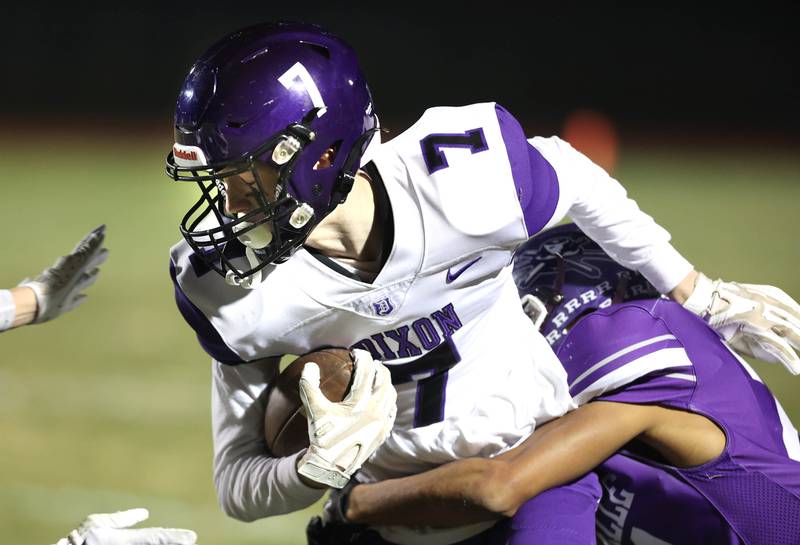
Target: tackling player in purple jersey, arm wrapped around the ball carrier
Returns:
[701, 438]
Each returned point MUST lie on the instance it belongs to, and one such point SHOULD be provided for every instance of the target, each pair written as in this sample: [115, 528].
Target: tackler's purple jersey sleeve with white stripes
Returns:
[616, 347]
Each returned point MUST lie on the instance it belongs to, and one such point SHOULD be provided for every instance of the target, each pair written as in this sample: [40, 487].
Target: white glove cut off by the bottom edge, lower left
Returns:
[110, 529]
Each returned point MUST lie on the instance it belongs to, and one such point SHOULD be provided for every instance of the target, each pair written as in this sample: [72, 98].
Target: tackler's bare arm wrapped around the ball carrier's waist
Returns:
[562, 450]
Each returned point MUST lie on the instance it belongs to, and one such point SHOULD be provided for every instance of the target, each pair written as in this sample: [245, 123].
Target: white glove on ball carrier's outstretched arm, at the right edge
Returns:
[756, 320]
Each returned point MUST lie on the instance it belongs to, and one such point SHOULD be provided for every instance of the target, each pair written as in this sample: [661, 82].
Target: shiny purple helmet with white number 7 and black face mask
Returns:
[276, 95]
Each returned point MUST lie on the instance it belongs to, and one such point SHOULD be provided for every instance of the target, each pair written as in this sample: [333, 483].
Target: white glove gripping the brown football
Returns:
[343, 435]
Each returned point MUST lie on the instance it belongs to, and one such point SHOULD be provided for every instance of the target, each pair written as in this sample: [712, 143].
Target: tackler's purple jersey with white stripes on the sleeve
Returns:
[654, 351]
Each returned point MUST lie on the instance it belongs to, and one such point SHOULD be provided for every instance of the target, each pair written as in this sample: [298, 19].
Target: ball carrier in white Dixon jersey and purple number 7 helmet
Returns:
[307, 236]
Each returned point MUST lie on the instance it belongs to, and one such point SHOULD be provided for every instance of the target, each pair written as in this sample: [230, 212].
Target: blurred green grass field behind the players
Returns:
[108, 408]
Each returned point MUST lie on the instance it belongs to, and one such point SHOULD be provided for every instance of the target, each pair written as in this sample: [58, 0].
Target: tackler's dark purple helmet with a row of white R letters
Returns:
[573, 276]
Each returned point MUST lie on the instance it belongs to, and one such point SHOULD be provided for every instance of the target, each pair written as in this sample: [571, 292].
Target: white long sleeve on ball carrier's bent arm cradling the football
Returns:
[250, 483]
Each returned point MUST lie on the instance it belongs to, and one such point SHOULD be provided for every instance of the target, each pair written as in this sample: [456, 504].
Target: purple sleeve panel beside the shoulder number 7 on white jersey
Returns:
[534, 178]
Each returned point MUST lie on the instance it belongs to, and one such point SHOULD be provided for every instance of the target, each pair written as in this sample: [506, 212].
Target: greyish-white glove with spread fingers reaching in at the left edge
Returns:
[58, 288]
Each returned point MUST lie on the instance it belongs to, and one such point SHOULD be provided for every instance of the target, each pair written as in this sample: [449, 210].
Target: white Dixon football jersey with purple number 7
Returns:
[473, 376]
